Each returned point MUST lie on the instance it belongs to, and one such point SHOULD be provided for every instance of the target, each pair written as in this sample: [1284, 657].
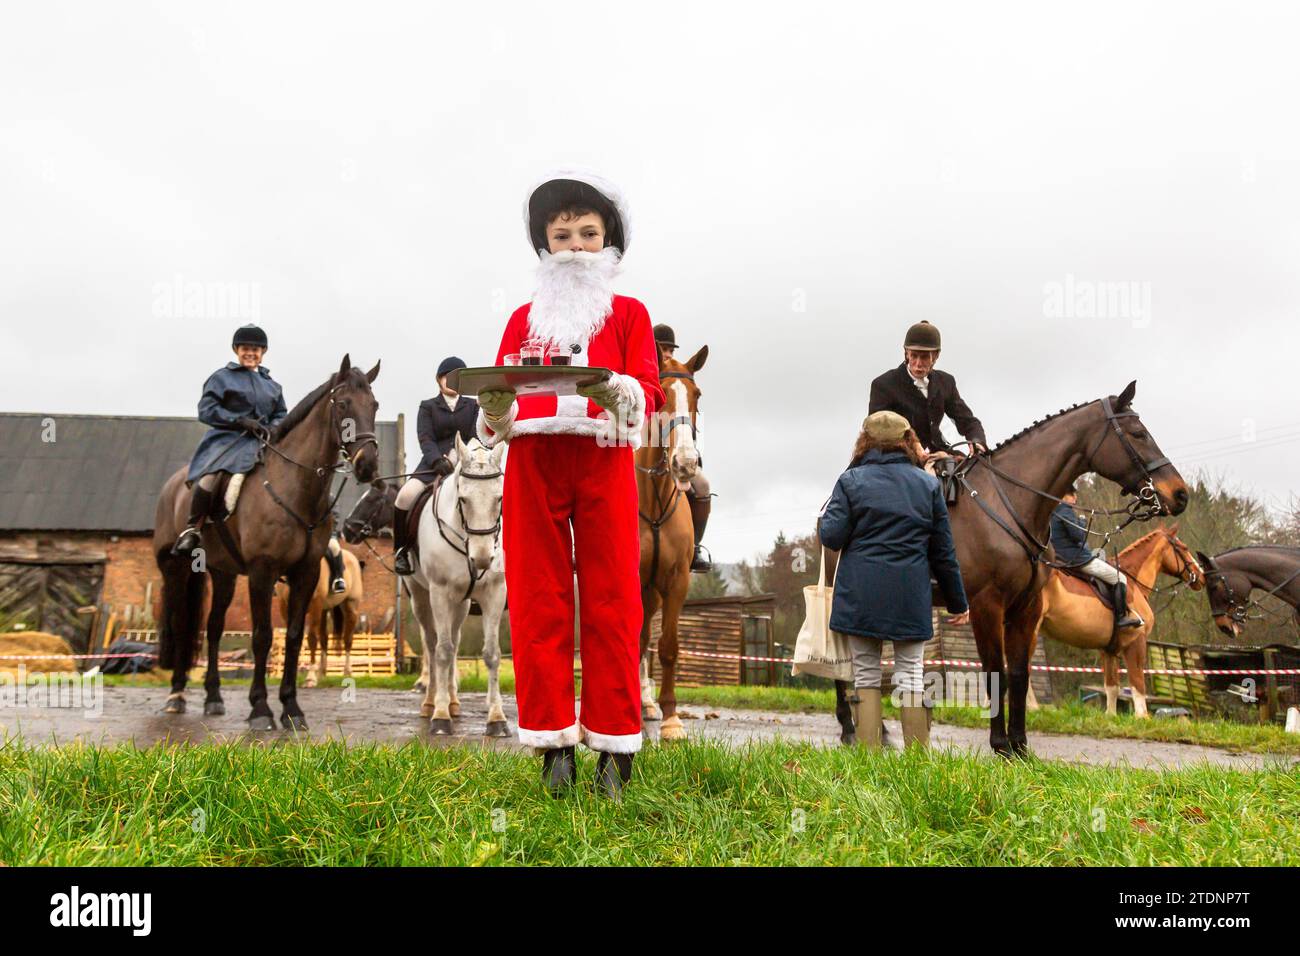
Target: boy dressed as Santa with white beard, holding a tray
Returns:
[571, 496]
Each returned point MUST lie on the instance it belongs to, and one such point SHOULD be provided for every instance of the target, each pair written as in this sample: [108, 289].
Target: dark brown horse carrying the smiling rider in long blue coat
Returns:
[280, 529]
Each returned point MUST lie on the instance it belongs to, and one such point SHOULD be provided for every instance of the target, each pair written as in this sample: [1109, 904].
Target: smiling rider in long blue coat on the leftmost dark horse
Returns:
[241, 403]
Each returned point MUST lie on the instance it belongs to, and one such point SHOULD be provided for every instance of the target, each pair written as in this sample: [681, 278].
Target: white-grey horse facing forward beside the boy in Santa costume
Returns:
[461, 557]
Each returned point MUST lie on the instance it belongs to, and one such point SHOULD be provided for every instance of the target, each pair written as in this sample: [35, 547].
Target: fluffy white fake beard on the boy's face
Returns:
[574, 296]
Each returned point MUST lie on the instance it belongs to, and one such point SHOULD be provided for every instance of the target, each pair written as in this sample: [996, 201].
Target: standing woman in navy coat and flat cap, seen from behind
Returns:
[890, 524]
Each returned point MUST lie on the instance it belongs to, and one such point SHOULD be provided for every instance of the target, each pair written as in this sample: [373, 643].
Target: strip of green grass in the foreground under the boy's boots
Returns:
[691, 804]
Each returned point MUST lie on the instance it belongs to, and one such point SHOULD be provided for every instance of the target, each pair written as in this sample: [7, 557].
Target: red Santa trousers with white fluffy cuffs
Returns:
[567, 500]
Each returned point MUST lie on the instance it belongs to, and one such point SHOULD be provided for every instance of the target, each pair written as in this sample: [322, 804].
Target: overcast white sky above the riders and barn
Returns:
[807, 181]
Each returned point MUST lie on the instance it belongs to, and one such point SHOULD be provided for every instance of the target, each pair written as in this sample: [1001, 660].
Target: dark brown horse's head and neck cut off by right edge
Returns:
[1232, 577]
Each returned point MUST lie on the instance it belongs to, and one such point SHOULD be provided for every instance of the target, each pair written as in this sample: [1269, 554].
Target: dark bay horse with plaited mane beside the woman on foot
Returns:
[1002, 527]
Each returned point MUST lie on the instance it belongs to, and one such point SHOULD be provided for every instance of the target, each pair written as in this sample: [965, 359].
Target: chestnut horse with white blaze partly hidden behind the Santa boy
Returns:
[666, 464]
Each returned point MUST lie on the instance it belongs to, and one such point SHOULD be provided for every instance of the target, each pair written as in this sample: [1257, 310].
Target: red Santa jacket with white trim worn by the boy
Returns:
[625, 345]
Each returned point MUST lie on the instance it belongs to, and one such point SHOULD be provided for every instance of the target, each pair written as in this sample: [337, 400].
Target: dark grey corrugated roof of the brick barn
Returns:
[105, 473]
